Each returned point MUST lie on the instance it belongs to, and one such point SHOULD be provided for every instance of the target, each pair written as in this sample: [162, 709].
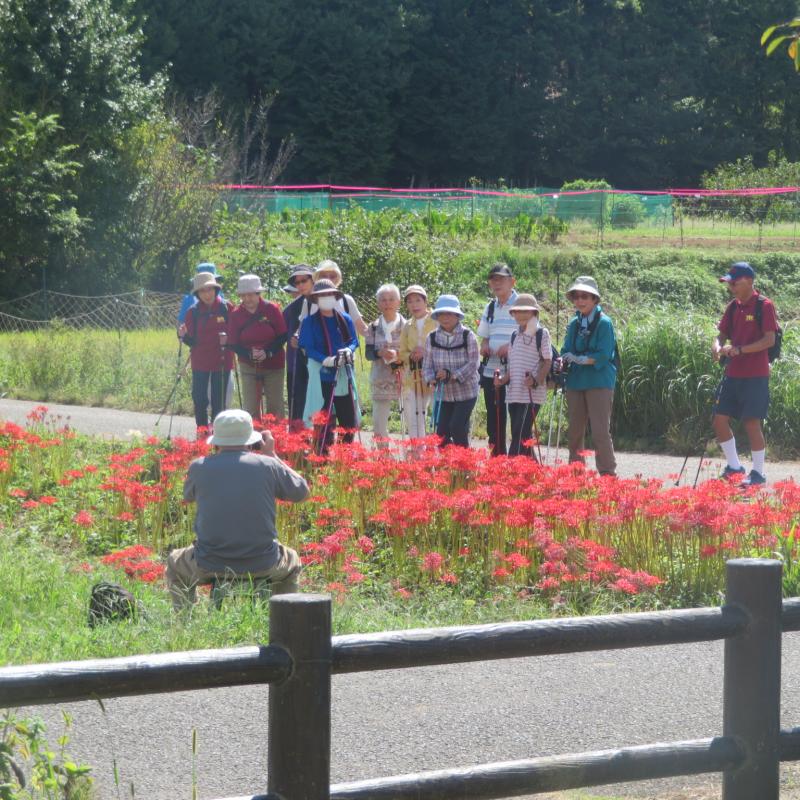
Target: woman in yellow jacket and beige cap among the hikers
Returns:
[416, 392]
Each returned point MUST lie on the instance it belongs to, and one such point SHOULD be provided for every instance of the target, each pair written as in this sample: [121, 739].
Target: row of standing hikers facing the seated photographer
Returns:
[297, 362]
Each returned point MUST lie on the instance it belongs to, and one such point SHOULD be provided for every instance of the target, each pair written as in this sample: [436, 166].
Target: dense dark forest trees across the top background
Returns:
[641, 92]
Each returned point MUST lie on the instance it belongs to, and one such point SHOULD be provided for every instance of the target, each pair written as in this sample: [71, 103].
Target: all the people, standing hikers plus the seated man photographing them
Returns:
[430, 359]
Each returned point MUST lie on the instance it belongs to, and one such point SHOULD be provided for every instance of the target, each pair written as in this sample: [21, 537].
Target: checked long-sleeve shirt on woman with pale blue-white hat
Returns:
[457, 355]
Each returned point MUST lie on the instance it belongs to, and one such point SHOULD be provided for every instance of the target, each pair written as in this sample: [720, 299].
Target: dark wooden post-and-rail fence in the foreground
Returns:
[302, 656]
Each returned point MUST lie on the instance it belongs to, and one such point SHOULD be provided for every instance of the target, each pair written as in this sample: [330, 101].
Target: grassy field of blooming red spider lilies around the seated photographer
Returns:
[437, 536]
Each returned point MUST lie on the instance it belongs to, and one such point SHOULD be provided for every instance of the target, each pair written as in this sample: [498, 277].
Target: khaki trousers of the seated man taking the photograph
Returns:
[184, 574]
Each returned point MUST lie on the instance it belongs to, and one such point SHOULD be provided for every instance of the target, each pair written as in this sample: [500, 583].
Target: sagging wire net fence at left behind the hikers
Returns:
[137, 310]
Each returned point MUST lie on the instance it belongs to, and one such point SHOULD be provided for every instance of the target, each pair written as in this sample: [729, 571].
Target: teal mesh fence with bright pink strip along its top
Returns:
[760, 217]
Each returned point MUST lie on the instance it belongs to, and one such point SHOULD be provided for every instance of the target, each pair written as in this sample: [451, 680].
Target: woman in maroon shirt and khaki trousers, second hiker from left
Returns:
[257, 334]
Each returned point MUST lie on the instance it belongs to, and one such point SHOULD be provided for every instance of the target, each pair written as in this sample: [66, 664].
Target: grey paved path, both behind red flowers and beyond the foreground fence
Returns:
[402, 721]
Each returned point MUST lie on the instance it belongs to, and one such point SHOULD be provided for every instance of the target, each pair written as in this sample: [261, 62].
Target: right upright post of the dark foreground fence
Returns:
[752, 683]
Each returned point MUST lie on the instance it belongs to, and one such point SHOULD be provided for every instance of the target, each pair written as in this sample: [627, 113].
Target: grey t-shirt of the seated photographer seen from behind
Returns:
[235, 491]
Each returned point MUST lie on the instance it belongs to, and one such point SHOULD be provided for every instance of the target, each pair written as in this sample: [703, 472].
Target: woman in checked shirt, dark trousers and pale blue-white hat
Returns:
[451, 366]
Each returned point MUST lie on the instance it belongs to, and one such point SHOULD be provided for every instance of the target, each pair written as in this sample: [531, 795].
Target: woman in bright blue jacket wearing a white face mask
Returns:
[328, 338]
